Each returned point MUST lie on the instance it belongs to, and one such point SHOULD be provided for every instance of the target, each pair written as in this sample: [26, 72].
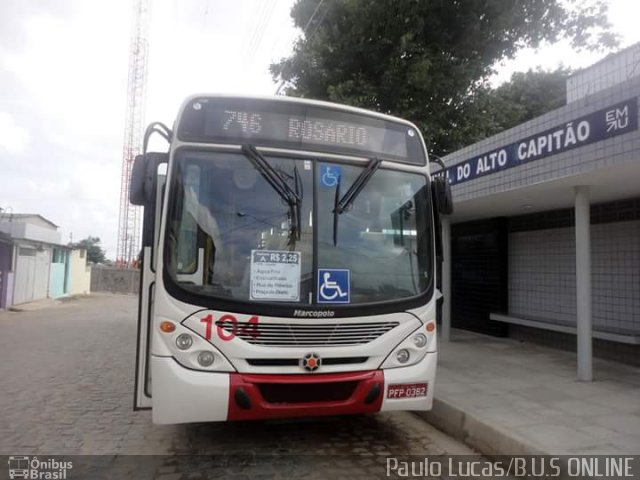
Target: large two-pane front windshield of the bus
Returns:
[232, 235]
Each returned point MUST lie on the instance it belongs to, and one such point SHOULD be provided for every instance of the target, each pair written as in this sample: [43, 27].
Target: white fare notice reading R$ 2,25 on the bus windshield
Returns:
[275, 275]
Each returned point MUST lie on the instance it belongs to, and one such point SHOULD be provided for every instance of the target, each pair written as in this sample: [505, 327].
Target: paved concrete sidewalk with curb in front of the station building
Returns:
[502, 396]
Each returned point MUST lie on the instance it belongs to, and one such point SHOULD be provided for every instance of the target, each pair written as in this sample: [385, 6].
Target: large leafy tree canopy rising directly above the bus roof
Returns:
[426, 60]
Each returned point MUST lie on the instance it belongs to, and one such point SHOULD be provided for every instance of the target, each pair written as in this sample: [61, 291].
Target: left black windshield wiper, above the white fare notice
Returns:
[292, 197]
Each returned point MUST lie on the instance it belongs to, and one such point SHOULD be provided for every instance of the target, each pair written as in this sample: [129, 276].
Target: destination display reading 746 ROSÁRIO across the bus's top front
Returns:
[301, 126]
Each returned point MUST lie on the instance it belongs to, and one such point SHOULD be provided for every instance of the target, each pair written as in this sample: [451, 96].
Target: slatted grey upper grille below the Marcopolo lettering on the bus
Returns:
[296, 335]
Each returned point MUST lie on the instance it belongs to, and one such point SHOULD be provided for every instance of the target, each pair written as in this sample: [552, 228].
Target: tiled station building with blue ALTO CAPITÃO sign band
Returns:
[544, 243]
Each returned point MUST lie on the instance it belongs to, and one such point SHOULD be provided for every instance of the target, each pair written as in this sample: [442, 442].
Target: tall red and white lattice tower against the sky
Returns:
[130, 217]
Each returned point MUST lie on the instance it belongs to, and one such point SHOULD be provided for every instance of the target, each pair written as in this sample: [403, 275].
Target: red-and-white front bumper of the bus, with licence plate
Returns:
[181, 395]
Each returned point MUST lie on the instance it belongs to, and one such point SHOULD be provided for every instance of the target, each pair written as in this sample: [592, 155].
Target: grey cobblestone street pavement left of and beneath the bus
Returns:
[66, 374]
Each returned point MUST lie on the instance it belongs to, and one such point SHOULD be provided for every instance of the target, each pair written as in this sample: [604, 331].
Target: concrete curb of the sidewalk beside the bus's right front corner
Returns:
[476, 432]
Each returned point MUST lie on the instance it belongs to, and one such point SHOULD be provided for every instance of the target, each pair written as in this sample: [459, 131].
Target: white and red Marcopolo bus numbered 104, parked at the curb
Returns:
[288, 262]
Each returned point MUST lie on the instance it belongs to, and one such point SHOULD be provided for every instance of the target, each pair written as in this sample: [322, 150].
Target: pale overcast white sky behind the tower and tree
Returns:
[63, 84]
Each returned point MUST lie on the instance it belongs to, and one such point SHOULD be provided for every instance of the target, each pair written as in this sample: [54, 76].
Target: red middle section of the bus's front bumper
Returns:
[246, 390]
